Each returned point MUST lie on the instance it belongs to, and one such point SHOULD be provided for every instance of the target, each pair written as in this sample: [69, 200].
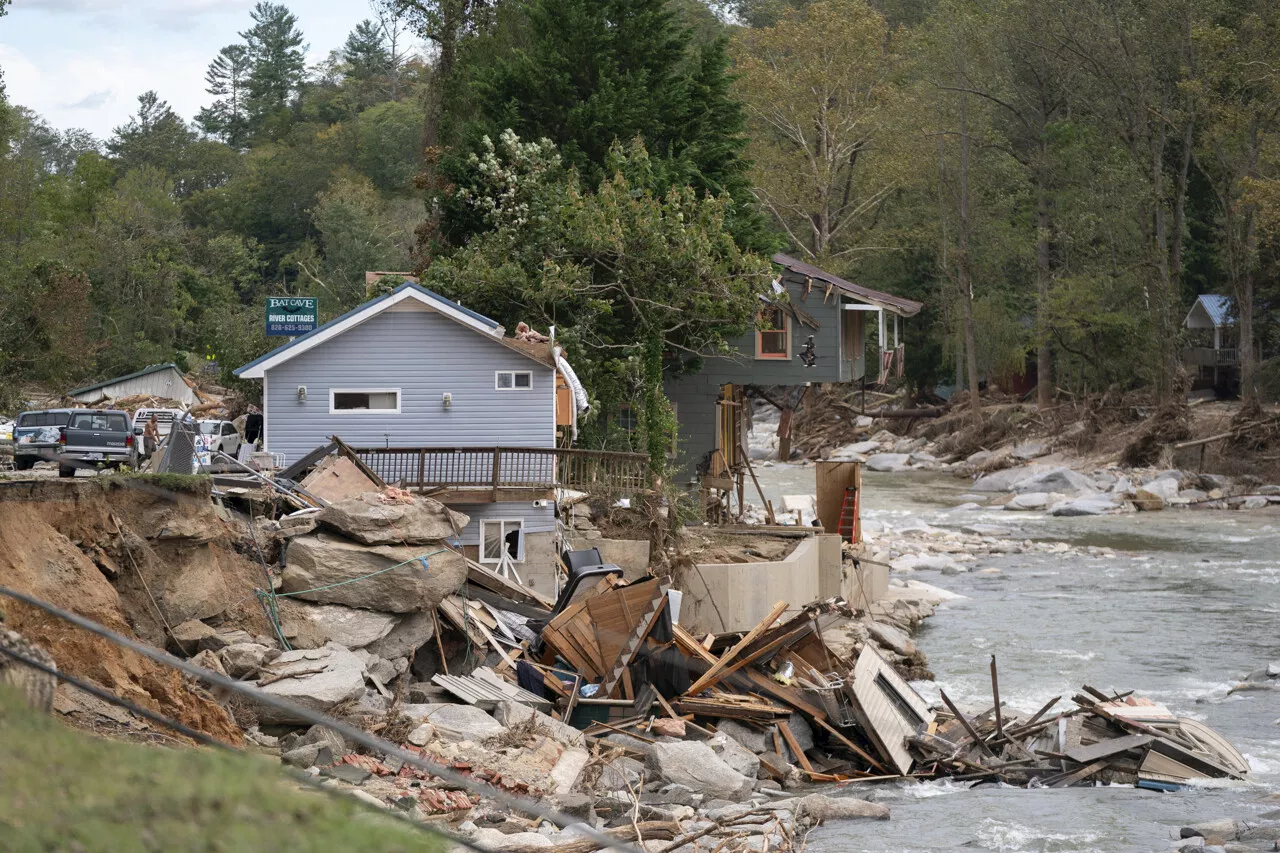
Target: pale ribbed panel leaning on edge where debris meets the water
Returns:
[888, 718]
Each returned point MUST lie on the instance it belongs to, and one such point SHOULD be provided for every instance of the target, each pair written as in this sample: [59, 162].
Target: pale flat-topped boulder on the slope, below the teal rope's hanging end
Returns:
[317, 679]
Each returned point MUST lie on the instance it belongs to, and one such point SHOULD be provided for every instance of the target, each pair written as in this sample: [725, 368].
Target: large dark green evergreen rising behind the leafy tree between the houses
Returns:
[595, 72]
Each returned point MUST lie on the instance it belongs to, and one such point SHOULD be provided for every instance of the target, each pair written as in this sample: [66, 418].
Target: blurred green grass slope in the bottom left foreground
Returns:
[62, 790]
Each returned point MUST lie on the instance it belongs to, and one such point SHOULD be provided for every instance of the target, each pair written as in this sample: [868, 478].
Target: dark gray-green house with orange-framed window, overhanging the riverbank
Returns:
[813, 329]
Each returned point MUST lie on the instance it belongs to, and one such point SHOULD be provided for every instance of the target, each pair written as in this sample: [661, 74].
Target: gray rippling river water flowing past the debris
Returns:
[1190, 604]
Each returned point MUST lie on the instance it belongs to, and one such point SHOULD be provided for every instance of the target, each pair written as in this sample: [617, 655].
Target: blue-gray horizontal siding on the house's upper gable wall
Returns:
[426, 357]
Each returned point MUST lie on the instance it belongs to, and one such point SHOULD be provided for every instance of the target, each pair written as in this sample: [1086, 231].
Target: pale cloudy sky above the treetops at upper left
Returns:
[84, 63]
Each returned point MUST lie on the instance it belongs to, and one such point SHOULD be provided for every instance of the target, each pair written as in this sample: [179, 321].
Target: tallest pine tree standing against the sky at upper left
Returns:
[277, 52]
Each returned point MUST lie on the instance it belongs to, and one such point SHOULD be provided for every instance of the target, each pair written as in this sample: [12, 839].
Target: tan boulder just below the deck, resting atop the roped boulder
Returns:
[369, 521]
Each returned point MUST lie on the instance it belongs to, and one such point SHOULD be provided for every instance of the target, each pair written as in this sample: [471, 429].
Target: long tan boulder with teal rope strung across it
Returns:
[323, 564]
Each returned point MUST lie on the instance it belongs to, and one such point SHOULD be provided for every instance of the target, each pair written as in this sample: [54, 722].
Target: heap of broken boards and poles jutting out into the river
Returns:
[1104, 740]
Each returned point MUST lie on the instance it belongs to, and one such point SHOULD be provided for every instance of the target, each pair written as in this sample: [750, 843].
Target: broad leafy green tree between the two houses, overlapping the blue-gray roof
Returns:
[638, 281]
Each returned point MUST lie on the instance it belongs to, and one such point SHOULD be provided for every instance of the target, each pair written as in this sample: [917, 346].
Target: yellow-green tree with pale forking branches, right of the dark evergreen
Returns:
[820, 92]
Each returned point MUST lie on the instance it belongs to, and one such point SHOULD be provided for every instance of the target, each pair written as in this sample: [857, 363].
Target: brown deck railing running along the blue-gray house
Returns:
[508, 468]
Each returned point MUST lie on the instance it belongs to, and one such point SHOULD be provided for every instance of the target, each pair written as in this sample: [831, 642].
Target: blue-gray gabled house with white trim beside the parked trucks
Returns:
[437, 398]
